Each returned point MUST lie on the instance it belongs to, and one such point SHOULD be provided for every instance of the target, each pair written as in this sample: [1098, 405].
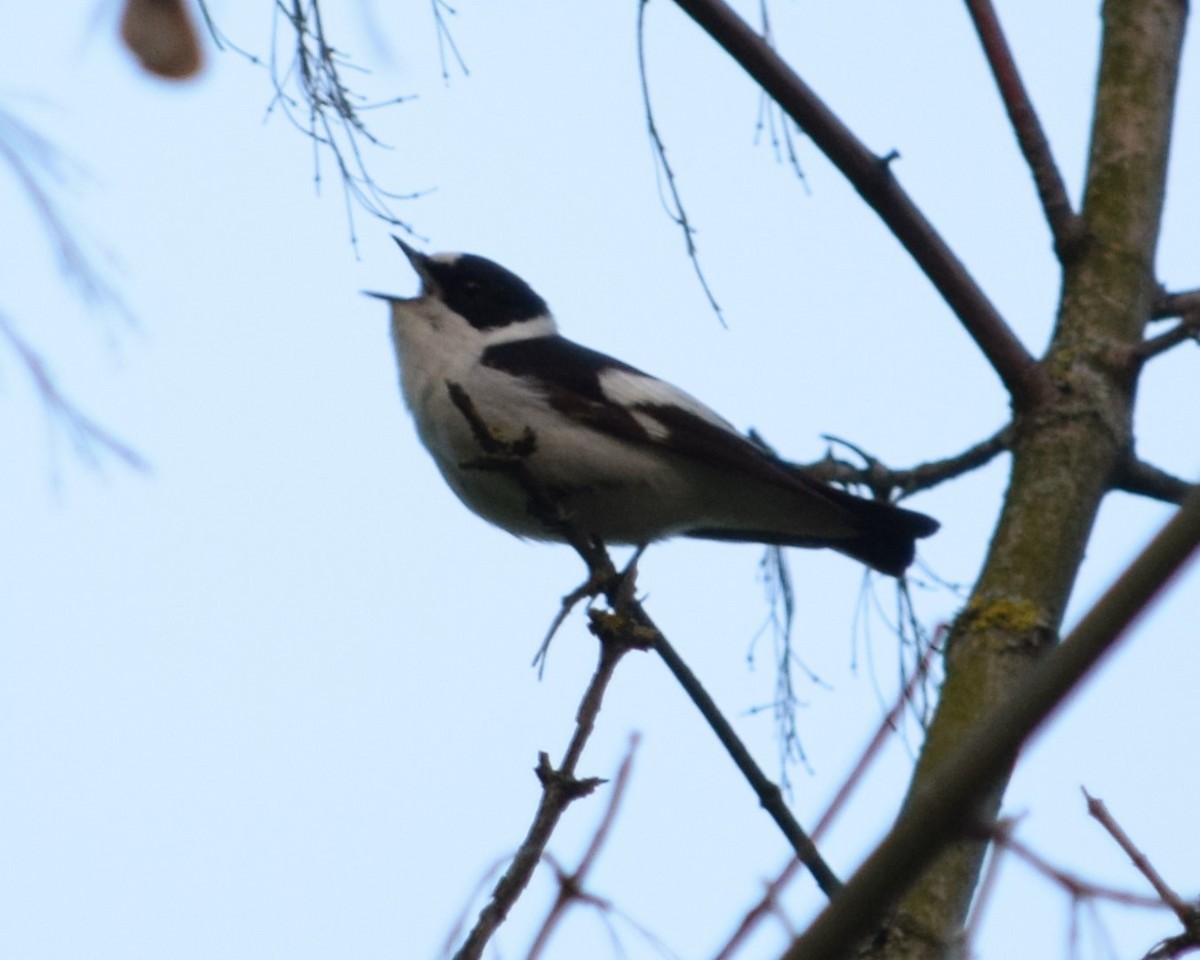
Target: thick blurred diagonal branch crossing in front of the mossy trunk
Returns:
[940, 813]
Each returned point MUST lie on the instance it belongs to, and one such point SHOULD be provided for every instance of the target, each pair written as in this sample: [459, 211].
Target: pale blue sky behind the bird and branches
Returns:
[273, 698]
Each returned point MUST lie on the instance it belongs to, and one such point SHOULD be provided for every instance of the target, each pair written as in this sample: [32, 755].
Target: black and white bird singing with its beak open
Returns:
[623, 457]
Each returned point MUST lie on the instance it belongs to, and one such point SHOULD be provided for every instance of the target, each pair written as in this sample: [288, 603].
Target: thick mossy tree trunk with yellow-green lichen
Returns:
[1067, 447]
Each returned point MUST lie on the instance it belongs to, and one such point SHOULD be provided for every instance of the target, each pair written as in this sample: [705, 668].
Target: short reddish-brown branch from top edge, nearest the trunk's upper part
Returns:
[1065, 225]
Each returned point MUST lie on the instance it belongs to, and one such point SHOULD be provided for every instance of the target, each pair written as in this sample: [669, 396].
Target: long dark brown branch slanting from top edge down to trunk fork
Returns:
[872, 177]
